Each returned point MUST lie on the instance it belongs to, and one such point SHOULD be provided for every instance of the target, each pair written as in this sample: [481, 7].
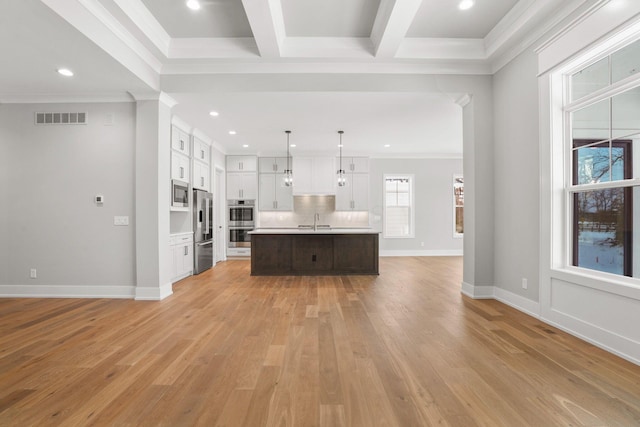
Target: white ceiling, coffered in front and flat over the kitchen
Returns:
[120, 48]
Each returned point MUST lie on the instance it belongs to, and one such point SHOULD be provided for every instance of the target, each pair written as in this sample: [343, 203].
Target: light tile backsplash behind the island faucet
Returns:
[305, 207]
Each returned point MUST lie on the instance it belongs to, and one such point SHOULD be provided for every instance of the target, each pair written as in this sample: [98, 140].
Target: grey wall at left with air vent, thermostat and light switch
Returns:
[54, 173]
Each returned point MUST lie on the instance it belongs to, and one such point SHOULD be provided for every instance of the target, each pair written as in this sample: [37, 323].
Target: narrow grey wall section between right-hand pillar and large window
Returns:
[516, 175]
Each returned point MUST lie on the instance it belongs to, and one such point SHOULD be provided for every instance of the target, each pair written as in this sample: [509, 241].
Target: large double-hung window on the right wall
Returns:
[602, 139]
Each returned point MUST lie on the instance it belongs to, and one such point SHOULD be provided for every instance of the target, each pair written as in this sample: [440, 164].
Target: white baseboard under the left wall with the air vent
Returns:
[60, 291]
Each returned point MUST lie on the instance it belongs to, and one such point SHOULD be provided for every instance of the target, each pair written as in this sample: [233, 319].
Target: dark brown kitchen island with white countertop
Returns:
[282, 252]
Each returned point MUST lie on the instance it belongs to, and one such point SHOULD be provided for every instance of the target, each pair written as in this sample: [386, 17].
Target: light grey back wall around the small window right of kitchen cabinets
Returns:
[433, 188]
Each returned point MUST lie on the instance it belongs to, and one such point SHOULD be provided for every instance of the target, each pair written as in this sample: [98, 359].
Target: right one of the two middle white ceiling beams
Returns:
[391, 25]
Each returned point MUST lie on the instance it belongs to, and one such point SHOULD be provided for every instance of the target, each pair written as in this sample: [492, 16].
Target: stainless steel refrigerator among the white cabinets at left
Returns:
[202, 231]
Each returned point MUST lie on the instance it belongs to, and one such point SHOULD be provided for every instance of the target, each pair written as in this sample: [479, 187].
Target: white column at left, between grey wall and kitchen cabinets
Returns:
[153, 192]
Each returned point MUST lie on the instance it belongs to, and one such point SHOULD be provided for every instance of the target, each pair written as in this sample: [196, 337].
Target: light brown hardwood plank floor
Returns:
[401, 349]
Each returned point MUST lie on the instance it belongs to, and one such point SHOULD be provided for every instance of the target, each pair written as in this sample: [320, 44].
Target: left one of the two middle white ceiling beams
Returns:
[267, 25]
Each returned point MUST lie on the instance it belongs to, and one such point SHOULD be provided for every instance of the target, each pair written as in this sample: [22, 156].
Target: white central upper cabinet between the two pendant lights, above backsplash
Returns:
[314, 175]
